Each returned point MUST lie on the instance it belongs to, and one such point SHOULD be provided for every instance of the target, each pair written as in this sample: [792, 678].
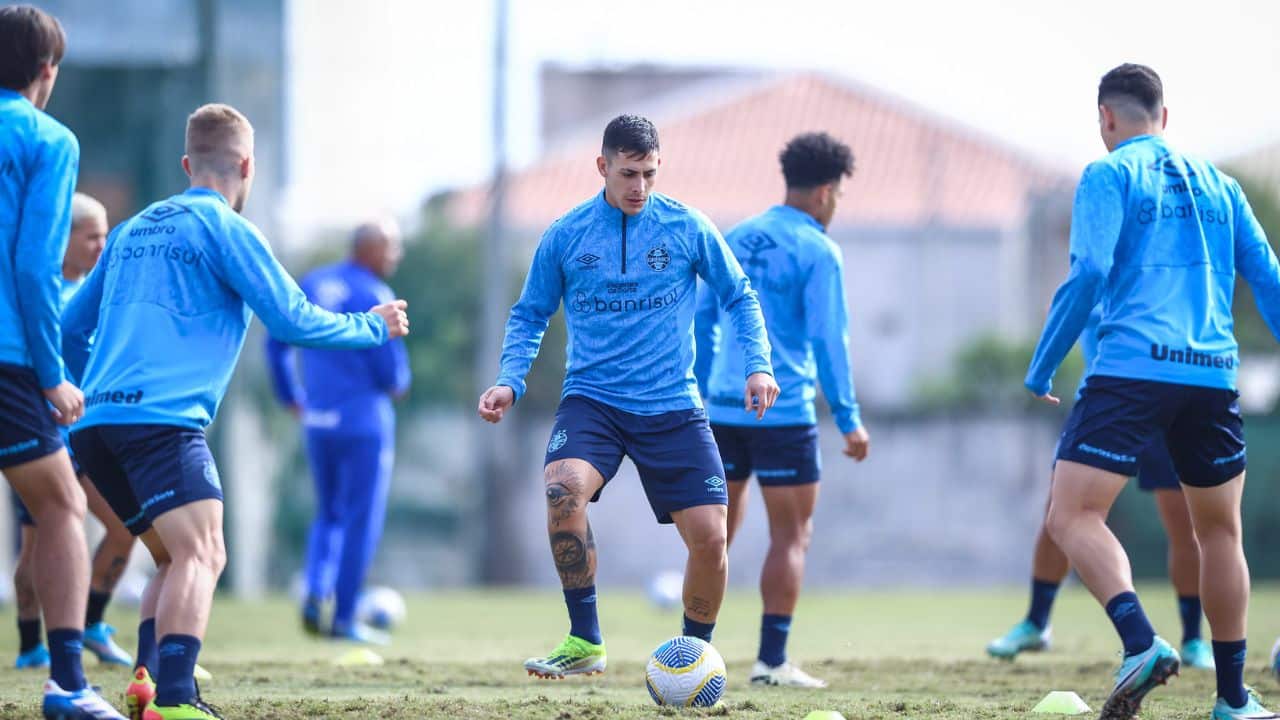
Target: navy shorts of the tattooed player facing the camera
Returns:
[675, 453]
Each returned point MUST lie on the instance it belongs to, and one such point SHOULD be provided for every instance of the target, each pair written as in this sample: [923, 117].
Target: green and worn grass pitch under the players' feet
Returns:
[888, 655]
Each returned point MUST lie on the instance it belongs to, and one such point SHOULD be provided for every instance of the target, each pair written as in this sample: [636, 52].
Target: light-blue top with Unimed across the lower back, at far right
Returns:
[1158, 238]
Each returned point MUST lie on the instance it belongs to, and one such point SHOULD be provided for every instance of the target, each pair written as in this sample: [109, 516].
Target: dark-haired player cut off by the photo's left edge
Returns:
[39, 163]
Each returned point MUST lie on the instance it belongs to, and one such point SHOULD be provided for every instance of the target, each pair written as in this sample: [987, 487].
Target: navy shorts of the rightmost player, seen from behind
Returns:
[1117, 420]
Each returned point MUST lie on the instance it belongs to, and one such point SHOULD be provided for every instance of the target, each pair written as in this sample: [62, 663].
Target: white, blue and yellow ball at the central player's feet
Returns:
[687, 673]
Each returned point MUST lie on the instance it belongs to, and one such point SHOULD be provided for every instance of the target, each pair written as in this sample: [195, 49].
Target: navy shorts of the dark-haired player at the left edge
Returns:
[28, 427]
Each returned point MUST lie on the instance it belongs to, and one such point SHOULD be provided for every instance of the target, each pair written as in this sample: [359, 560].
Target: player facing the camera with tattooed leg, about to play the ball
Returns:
[627, 266]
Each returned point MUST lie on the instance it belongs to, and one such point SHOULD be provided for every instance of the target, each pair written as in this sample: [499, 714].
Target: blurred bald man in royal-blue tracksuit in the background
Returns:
[345, 402]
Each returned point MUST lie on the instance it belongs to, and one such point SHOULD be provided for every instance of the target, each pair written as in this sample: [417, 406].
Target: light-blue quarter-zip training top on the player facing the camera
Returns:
[629, 288]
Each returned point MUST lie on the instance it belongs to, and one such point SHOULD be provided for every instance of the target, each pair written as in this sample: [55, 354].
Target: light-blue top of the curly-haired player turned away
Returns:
[799, 276]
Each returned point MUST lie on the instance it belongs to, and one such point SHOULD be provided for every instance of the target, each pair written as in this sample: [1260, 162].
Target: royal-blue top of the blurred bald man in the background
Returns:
[342, 390]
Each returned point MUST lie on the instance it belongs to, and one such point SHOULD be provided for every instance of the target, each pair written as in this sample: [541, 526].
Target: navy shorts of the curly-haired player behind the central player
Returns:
[781, 455]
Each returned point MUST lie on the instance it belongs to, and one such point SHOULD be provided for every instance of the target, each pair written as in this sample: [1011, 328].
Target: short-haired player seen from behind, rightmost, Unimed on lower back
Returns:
[1158, 238]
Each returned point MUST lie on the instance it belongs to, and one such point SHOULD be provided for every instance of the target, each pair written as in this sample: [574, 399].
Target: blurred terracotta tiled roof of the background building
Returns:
[915, 168]
